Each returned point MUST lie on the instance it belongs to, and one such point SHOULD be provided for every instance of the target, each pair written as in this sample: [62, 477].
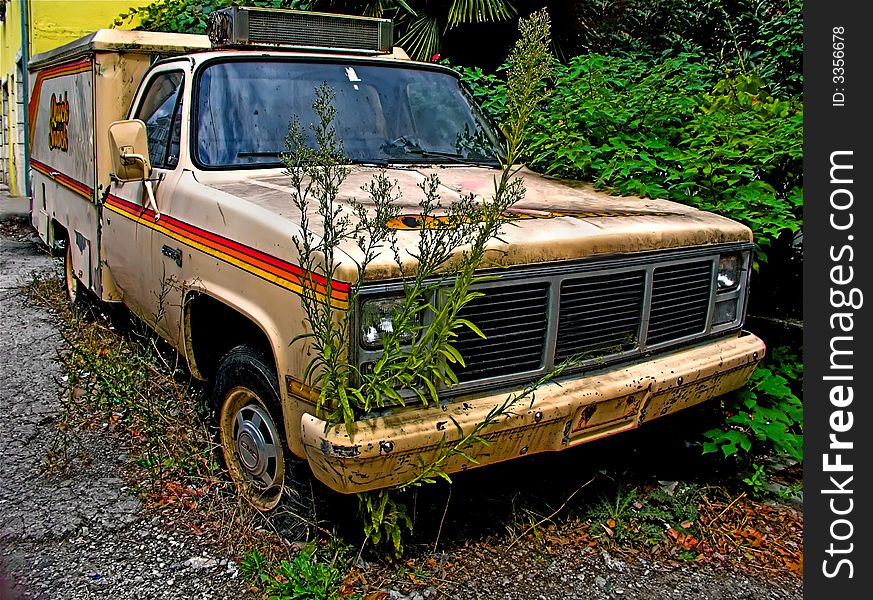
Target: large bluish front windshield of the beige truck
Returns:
[384, 114]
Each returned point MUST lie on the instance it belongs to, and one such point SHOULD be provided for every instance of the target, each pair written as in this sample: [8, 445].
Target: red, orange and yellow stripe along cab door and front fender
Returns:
[265, 266]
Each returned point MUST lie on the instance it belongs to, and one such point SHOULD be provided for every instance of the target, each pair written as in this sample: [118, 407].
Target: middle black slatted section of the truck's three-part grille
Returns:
[600, 315]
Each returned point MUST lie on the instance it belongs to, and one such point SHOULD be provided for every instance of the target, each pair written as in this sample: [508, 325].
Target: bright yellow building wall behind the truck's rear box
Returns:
[52, 24]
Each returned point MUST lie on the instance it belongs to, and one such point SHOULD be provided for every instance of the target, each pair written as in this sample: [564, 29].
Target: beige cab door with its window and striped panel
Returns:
[131, 223]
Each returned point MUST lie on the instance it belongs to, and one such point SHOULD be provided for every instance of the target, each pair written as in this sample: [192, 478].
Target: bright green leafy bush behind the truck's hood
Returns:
[675, 129]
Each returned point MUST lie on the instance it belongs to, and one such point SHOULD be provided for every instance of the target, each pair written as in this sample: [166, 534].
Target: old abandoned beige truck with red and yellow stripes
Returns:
[156, 168]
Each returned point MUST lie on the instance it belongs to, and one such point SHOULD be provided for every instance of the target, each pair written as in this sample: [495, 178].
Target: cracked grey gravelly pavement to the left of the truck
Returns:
[84, 536]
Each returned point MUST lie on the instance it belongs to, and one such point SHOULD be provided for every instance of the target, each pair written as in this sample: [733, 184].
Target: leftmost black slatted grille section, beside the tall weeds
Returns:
[513, 319]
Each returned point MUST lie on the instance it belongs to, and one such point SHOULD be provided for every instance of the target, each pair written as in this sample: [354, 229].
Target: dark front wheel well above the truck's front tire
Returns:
[212, 329]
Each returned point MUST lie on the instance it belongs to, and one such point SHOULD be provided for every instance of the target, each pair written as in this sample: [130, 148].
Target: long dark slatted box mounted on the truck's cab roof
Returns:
[302, 30]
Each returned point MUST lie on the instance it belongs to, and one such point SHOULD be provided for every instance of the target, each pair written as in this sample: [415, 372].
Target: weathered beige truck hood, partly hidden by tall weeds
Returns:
[557, 220]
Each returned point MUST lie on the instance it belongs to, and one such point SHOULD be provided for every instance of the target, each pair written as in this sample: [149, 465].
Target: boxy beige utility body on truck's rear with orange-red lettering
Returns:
[77, 91]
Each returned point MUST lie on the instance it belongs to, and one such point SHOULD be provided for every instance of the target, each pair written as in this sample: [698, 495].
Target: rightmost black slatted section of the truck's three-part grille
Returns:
[680, 301]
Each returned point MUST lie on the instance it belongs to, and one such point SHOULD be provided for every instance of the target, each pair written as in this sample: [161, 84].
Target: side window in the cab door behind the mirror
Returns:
[160, 110]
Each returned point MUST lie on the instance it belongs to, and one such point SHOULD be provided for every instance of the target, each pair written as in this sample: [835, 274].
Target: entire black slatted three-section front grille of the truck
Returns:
[602, 316]
